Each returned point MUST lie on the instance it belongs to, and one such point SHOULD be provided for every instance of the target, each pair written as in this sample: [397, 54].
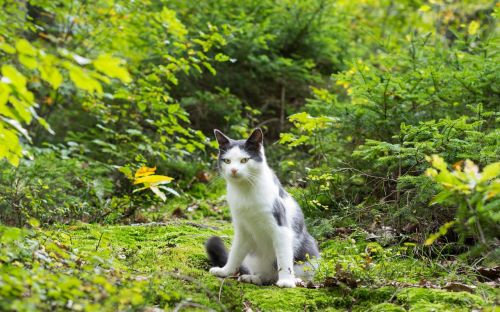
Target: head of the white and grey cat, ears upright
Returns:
[240, 160]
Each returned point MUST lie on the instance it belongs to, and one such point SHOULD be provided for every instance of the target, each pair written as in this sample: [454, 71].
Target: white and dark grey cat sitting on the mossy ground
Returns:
[271, 243]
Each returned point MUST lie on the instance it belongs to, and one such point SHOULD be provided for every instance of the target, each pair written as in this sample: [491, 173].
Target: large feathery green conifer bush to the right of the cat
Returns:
[430, 90]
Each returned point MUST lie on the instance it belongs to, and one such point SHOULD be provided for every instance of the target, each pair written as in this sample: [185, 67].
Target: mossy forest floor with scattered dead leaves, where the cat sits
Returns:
[355, 275]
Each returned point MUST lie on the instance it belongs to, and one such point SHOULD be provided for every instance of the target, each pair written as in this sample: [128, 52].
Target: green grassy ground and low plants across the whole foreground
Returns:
[164, 266]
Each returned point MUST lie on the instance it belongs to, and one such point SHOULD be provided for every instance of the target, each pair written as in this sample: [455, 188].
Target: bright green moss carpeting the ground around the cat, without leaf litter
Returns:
[165, 266]
